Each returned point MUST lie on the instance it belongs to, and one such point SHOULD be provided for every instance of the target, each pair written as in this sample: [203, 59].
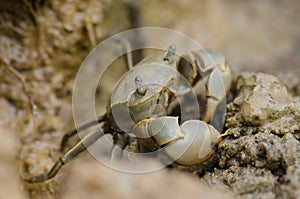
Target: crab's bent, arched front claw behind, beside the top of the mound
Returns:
[211, 66]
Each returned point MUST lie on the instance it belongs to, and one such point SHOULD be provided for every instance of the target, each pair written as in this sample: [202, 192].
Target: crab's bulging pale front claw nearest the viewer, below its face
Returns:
[187, 144]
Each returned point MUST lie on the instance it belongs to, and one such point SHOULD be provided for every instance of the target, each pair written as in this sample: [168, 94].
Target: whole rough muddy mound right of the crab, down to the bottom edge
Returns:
[259, 156]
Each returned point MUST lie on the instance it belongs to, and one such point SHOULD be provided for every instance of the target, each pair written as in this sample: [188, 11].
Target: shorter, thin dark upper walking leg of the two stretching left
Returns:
[73, 132]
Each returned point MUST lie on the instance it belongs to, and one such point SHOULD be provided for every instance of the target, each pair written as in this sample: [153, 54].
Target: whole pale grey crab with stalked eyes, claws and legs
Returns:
[137, 114]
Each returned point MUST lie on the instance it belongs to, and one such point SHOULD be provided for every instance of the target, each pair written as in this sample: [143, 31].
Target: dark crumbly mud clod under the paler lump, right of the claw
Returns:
[261, 150]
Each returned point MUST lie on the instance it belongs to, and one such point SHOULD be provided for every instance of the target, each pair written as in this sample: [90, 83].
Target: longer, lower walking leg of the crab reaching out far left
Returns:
[76, 150]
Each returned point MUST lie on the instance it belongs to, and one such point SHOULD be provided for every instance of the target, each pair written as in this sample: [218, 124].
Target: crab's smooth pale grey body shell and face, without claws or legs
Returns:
[161, 78]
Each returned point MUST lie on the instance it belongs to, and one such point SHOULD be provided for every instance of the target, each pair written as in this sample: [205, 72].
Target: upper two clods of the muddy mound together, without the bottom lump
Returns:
[263, 125]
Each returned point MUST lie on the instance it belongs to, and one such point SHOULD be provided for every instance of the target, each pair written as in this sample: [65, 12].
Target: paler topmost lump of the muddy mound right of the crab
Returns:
[264, 102]
